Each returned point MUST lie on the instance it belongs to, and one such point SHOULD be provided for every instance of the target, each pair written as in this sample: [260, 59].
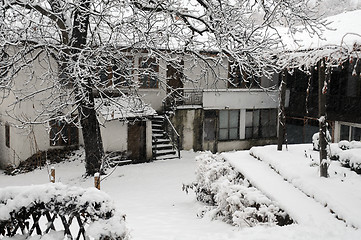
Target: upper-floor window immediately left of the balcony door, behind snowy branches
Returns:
[148, 75]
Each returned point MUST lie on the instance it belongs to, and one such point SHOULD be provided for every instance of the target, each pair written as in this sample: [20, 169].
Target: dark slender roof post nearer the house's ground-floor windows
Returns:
[281, 113]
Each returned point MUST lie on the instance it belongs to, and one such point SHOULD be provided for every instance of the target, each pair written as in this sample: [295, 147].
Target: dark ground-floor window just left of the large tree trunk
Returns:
[63, 134]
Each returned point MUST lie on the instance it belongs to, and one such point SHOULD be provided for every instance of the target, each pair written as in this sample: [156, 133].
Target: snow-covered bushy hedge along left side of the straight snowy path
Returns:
[232, 198]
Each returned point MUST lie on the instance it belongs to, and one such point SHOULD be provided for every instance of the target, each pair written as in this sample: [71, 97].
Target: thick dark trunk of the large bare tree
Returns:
[88, 119]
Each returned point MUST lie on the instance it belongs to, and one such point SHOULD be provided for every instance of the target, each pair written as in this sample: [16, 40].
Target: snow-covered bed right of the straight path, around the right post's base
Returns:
[340, 192]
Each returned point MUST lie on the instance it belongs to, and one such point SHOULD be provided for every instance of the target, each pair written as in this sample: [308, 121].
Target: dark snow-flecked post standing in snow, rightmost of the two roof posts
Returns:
[322, 117]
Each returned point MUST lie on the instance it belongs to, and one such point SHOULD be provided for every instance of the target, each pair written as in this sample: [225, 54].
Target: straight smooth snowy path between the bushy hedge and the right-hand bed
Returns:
[301, 208]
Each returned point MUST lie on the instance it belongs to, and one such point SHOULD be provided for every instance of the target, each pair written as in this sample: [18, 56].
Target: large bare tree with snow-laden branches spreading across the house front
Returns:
[68, 46]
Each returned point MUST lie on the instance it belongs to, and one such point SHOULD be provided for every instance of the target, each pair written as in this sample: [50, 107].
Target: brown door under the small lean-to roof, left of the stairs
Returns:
[137, 141]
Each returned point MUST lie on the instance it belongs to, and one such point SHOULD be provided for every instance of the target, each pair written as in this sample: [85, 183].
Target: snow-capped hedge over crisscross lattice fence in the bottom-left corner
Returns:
[93, 207]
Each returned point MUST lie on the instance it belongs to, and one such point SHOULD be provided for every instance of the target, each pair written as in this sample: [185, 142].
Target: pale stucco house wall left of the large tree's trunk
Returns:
[24, 142]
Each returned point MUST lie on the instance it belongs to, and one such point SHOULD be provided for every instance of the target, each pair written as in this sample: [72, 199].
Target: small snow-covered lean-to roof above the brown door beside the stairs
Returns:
[123, 108]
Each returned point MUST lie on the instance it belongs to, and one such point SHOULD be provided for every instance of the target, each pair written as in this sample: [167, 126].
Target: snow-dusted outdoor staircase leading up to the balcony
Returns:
[161, 144]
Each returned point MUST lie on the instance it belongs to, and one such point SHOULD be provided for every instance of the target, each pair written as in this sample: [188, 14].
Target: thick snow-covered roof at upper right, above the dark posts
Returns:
[341, 39]
